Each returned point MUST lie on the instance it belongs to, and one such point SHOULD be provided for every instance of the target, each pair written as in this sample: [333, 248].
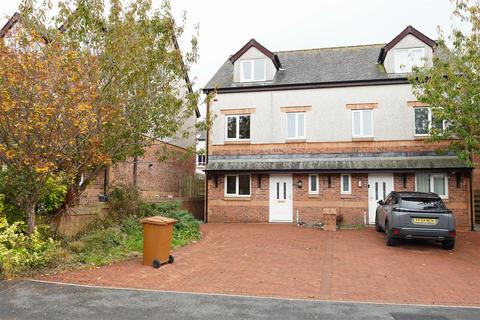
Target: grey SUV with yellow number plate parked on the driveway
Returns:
[415, 215]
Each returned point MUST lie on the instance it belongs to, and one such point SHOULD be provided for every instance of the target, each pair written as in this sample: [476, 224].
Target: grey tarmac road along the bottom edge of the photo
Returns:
[40, 300]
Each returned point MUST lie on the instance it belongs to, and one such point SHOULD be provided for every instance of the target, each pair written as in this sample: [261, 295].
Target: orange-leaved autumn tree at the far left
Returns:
[47, 113]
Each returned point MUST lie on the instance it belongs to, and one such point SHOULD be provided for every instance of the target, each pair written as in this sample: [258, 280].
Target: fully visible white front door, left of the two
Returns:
[281, 209]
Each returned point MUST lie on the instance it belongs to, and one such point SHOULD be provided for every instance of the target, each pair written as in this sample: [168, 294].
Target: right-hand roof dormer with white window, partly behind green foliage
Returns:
[408, 49]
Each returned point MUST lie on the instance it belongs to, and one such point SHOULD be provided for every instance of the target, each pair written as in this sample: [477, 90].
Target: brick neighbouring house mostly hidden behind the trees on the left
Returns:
[156, 177]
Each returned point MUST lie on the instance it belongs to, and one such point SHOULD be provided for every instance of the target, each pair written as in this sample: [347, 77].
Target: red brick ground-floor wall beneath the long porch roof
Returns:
[353, 208]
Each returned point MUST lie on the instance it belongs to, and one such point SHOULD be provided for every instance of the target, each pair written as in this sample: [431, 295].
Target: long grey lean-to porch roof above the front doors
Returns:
[337, 162]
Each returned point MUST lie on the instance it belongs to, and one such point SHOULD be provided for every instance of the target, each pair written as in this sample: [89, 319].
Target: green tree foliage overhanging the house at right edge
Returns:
[452, 85]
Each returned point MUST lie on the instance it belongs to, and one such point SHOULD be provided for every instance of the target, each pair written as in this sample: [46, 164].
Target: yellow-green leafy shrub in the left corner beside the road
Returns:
[21, 254]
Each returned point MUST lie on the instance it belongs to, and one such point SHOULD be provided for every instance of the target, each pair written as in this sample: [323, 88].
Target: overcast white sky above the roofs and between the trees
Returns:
[225, 26]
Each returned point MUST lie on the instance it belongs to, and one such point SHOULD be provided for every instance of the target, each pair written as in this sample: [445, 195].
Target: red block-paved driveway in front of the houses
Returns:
[293, 262]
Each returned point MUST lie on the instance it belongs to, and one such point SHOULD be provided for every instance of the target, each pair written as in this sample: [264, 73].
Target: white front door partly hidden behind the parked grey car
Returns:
[379, 186]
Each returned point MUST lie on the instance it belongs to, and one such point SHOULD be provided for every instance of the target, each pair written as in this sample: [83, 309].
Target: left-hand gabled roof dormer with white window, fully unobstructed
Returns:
[254, 63]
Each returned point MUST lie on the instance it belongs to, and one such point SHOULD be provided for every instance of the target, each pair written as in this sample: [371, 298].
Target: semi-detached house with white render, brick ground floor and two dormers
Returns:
[302, 132]
